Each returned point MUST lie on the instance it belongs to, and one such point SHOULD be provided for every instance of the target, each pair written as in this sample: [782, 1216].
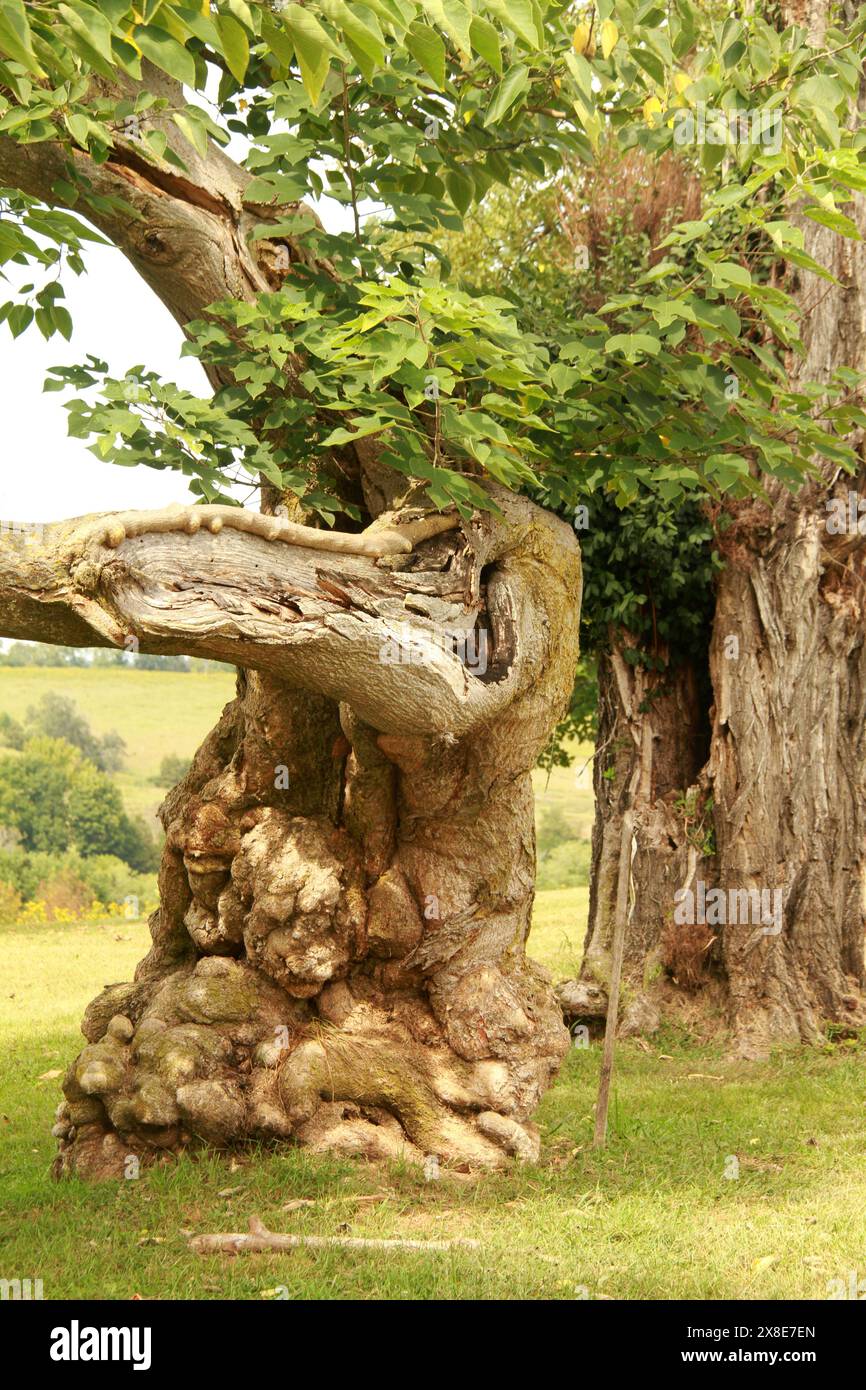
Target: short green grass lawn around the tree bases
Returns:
[653, 1217]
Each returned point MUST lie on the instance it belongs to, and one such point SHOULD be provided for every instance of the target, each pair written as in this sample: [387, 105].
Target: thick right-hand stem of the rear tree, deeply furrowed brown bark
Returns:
[789, 737]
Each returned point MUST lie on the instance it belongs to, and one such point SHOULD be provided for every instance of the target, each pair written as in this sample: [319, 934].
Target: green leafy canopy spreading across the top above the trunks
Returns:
[418, 109]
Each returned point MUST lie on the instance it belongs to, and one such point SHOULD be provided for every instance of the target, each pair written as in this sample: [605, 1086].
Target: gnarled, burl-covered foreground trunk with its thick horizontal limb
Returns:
[340, 950]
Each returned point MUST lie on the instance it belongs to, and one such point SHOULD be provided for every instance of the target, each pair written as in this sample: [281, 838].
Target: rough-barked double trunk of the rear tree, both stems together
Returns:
[787, 767]
